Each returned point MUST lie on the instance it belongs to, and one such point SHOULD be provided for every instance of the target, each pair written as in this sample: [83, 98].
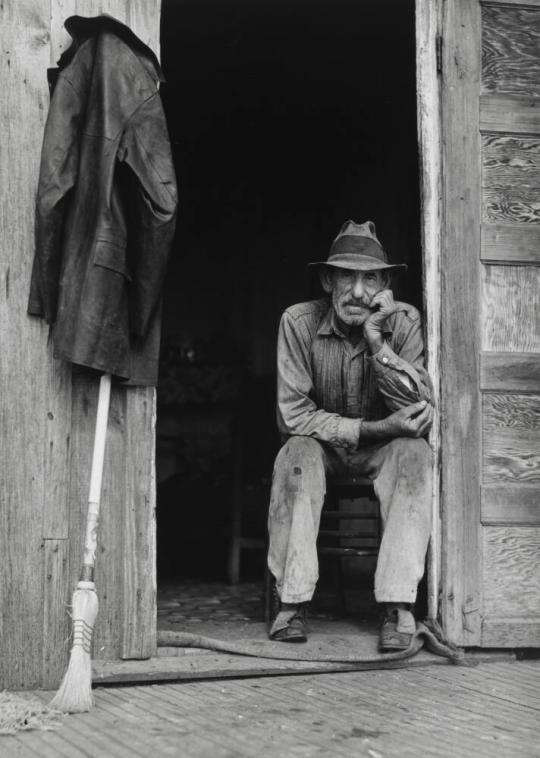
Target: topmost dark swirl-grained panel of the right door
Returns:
[510, 44]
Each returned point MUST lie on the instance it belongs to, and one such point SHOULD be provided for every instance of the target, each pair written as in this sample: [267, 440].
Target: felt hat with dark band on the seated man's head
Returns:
[357, 247]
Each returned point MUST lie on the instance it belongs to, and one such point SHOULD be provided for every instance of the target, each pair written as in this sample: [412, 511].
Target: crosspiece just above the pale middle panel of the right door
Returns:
[503, 243]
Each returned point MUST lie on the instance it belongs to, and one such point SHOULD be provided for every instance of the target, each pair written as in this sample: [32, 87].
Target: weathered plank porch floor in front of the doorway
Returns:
[490, 711]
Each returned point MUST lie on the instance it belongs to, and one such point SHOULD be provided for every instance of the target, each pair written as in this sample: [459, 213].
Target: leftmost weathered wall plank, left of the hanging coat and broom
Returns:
[30, 468]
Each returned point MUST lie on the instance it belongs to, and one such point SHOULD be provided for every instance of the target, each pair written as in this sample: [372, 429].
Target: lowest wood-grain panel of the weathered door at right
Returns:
[511, 571]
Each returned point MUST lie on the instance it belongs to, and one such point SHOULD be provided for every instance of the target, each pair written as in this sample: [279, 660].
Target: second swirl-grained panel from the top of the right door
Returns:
[511, 179]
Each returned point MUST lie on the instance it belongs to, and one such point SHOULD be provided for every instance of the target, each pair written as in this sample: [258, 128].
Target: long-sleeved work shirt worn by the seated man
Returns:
[327, 386]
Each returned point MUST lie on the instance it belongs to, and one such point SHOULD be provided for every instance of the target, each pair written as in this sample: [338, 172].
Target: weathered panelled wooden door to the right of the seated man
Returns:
[490, 335]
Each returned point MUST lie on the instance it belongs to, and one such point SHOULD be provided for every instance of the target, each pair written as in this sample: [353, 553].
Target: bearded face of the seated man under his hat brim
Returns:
[352, 292]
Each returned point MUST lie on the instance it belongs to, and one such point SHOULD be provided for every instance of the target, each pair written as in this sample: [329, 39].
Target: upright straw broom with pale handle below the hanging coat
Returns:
[75, 692]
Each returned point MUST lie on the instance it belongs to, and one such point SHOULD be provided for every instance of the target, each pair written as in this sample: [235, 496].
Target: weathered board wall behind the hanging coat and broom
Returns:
[48, 416]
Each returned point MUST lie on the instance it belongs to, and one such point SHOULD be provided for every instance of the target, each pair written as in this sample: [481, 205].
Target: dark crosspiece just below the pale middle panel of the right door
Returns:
[510, 372]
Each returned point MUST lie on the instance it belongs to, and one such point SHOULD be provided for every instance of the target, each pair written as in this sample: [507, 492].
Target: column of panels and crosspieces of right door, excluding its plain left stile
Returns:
[510, 293]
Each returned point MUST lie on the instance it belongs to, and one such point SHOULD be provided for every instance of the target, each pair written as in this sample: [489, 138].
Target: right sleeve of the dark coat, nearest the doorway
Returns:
[146, 150]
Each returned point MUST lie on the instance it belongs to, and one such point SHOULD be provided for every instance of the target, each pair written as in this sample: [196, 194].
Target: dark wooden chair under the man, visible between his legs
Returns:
[338, 540]
